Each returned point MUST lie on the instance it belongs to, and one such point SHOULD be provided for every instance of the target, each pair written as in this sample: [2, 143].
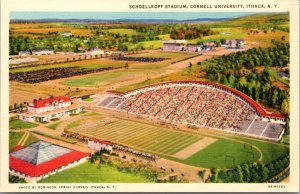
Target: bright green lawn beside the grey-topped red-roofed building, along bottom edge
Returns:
[90, 173]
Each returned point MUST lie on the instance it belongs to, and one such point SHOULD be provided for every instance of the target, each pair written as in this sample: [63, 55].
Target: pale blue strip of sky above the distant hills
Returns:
[126, 15]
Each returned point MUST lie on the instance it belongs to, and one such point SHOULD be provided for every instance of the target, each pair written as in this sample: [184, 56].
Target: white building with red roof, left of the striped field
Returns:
[47, 109]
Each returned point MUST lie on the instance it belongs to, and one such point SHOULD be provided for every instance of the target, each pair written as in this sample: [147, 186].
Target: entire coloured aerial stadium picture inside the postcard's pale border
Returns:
[152, 97]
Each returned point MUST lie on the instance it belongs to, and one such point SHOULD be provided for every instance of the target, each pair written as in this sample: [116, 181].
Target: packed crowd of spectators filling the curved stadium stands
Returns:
[202, 106]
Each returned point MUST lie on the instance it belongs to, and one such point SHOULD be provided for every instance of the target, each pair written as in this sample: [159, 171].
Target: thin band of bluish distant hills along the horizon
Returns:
[199, 20]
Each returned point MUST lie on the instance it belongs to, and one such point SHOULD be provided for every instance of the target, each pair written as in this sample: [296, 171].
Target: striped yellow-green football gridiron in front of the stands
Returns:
[143, 136]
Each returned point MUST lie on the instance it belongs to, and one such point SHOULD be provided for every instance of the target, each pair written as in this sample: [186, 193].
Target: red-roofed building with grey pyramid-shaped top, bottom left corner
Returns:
[41, 159]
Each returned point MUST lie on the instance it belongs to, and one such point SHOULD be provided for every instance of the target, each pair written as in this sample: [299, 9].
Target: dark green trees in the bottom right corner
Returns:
[250, 172]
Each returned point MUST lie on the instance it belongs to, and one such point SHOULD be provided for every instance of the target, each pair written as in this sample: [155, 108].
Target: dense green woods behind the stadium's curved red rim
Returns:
[238, 71]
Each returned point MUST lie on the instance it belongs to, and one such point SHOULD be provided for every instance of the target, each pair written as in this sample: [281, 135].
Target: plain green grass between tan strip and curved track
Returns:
[223, 154]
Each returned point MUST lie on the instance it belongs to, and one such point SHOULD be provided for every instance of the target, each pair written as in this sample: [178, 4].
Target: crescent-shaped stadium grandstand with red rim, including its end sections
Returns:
[202, 104]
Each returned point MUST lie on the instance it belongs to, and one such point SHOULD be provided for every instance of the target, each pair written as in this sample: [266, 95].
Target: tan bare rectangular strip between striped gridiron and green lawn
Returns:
[196, 147]
